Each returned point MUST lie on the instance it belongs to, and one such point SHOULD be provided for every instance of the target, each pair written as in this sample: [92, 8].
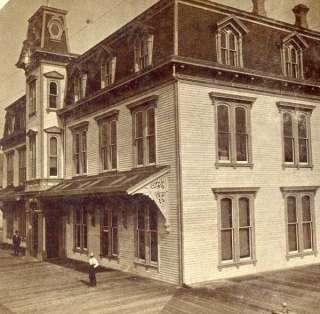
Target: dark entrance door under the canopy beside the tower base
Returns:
[53, 224]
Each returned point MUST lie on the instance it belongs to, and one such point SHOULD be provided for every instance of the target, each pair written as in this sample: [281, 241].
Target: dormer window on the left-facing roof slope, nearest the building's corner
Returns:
[143, 50]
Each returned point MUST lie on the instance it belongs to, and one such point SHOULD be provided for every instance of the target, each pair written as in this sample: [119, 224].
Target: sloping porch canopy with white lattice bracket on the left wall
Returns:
[149, 181]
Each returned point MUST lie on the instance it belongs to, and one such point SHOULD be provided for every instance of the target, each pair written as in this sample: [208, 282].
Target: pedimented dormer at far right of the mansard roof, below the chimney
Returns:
[292, 56]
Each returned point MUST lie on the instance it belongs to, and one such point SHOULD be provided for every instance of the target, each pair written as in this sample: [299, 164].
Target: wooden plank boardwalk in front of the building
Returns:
[28, 286]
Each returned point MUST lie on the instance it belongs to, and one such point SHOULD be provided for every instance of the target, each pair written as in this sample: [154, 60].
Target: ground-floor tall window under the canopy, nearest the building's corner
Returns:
[147, 235]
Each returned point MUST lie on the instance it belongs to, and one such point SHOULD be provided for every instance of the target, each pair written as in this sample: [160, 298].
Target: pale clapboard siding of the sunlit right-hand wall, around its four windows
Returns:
[199, 176]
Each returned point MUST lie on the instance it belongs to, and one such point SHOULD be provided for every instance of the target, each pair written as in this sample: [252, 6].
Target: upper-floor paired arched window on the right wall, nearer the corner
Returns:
[233, 143]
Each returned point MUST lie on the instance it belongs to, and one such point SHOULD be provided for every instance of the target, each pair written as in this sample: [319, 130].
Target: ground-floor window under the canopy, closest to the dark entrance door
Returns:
[81, 229]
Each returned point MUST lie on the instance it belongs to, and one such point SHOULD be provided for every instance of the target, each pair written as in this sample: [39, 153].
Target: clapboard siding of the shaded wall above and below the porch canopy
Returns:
[166, 155]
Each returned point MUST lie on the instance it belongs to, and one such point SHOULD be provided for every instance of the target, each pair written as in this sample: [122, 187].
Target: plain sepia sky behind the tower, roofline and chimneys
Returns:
[105, 17]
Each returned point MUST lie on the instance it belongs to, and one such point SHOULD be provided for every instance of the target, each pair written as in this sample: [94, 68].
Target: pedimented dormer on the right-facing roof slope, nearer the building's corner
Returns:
[229, 42]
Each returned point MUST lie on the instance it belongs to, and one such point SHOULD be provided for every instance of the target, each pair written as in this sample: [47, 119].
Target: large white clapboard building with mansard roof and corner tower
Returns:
[183, 147]
